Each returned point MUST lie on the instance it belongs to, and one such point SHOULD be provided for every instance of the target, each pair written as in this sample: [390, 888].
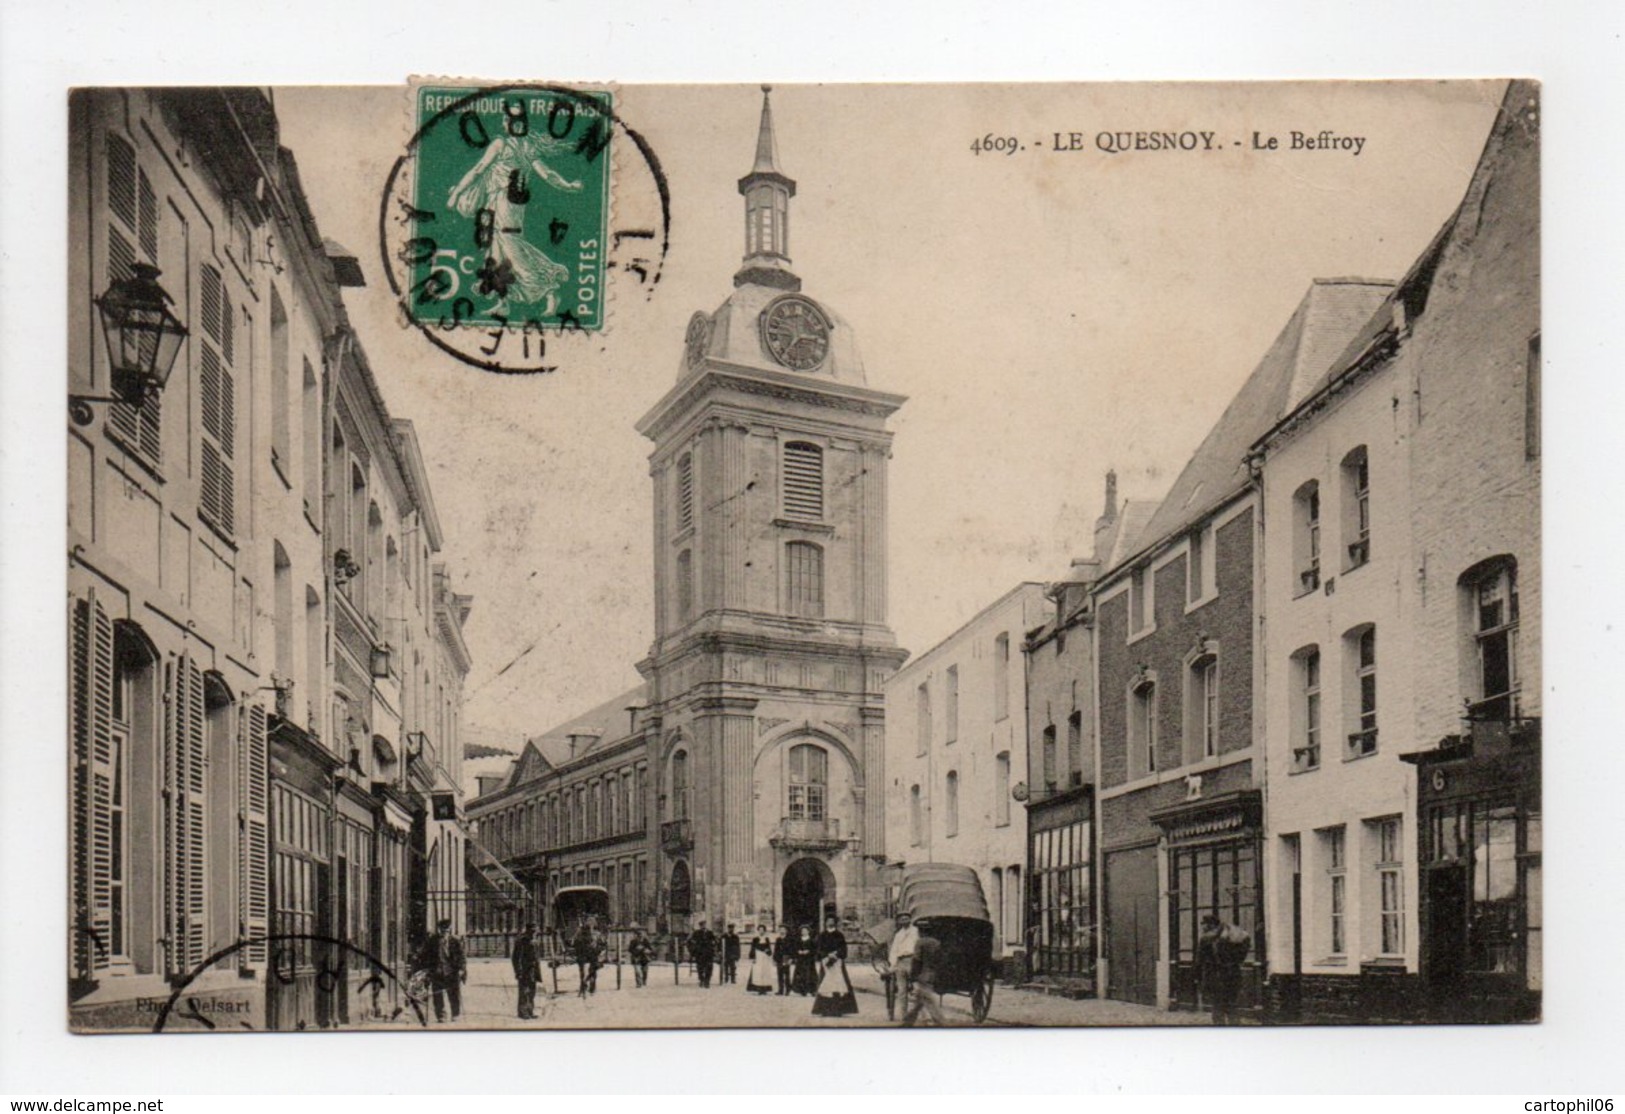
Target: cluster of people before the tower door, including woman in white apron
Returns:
[781, 964]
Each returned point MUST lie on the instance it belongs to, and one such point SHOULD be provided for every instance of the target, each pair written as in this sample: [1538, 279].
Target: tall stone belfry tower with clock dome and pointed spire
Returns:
[771, 642]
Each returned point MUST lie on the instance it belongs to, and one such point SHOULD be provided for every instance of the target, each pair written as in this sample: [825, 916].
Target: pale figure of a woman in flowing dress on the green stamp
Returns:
[498, 184]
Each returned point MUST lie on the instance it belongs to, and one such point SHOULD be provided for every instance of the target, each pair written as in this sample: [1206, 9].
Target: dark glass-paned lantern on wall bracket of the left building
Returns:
[144, 340]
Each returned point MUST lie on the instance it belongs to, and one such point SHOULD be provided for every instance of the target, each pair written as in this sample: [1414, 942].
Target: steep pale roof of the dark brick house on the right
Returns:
[1328, 317]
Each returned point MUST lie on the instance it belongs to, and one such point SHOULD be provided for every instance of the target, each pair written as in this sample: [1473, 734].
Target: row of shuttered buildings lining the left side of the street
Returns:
[233, 831]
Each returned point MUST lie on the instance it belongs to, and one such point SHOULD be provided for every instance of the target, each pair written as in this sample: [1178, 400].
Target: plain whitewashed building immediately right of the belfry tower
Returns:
[958, 753]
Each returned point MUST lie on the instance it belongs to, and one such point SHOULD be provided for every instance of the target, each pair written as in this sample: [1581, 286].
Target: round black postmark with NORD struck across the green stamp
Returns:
[516, 217]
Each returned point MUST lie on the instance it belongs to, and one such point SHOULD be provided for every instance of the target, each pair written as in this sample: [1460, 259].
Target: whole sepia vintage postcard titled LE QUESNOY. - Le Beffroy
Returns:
[558, 555]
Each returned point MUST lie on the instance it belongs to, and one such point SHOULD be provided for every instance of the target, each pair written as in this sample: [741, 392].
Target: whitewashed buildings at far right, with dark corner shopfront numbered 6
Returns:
[1405, 832]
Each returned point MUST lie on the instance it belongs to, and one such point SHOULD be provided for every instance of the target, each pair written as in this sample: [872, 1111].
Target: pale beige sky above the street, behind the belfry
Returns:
[1049, 314]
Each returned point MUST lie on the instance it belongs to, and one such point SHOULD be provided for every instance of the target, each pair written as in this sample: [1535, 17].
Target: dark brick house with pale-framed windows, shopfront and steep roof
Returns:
[1181, 797]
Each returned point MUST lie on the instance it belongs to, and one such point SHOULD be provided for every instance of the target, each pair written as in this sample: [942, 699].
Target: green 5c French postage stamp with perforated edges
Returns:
[511, 209]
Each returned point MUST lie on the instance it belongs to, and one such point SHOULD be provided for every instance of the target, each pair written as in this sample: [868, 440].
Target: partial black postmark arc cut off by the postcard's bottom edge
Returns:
[292, 957]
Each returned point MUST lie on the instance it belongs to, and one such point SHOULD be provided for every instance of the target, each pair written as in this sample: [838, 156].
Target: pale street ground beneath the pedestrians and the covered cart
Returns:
[675, 1001]
